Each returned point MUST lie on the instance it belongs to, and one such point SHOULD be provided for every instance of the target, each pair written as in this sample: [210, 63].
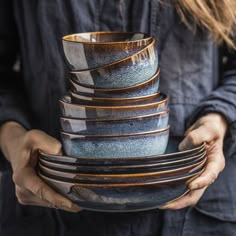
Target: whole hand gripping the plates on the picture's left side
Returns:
[20, 147]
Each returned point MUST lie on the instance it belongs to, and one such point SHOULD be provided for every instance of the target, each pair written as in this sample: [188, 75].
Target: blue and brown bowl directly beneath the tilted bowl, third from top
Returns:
[144, 89]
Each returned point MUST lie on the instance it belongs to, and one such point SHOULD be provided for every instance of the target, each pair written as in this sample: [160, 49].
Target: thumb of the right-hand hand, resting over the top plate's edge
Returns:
[196, 137]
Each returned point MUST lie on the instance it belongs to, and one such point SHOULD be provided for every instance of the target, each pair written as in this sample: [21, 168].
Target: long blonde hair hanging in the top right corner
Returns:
[217, 16]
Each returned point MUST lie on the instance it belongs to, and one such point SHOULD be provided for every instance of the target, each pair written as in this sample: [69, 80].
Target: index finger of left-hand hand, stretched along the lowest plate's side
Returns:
[39, 188]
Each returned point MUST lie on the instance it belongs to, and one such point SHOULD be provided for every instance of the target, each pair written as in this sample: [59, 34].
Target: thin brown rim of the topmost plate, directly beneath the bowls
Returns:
[186, 152]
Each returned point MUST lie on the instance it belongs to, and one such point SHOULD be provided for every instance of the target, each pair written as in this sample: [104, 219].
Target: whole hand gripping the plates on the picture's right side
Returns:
[211, 129]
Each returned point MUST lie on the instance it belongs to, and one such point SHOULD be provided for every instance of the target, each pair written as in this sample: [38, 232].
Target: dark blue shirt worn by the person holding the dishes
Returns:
[192, 74]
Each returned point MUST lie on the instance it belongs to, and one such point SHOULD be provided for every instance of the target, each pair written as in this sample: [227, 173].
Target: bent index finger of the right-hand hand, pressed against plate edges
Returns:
[213, 168]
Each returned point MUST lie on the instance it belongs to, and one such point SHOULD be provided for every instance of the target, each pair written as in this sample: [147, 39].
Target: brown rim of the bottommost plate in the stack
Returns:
[170, 180]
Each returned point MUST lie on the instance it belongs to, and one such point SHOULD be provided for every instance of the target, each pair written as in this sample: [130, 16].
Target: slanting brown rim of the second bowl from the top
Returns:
[146, 48]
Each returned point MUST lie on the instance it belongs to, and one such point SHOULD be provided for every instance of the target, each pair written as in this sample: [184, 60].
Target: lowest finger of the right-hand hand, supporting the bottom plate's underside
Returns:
[190, 199]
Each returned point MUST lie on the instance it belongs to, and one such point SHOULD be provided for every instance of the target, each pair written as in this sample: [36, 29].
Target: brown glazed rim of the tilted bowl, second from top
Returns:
[151, 45]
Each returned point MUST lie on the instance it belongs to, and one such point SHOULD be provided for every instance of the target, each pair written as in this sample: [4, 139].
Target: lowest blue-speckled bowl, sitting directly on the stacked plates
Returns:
[112, 146]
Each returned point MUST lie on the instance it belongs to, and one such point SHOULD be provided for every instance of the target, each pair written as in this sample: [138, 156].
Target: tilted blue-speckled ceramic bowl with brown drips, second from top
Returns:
[132, 70]
